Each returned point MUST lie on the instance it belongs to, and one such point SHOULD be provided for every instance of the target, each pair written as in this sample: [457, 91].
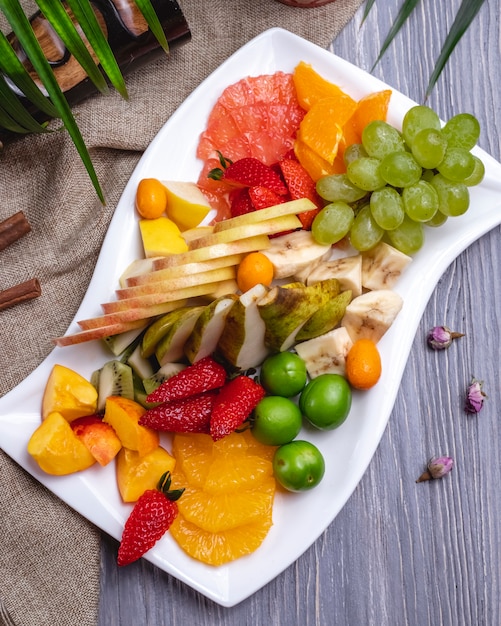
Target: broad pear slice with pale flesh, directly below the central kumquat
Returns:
[242, 341]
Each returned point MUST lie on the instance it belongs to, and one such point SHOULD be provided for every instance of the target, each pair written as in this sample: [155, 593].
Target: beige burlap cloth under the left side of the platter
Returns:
[49, 555]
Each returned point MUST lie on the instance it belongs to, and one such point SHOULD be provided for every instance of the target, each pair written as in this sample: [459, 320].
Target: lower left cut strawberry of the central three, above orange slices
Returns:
[185, 415]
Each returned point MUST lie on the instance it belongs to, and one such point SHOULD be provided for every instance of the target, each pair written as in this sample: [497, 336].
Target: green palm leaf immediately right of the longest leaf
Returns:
[64, 27]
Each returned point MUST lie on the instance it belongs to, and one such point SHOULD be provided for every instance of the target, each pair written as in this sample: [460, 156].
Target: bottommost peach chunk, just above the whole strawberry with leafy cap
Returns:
[136, 474]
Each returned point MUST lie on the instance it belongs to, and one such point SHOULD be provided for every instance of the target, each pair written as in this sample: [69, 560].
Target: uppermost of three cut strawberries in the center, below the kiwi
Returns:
[203, 375]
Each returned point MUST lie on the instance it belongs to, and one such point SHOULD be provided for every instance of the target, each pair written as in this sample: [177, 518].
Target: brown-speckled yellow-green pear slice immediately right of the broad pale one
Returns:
[285, 310]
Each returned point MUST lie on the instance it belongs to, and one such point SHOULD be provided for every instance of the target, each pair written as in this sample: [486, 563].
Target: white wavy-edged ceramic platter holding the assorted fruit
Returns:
[298, 519]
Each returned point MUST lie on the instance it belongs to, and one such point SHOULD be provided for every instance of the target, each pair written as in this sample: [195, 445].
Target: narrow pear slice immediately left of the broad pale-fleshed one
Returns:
[208, 328]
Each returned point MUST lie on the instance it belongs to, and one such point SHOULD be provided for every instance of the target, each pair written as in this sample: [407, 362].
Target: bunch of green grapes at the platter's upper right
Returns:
[398, 182]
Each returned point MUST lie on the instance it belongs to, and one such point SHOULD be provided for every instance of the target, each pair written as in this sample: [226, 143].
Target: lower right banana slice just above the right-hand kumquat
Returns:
[370, 315]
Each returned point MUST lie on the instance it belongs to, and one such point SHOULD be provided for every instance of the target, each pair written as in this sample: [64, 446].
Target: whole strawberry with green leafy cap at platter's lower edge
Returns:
[149, 520]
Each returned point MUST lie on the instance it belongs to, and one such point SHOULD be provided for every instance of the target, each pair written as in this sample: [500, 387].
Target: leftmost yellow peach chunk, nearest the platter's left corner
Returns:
[56, 448]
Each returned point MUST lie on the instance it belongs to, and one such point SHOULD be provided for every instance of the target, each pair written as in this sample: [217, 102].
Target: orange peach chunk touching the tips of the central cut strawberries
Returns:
[124, 415]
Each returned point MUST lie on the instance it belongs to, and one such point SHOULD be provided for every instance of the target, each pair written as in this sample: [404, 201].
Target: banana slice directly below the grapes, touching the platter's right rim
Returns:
[382, 266]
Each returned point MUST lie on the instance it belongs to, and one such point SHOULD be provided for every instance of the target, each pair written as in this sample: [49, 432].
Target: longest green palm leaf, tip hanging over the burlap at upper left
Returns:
[21, 26]
